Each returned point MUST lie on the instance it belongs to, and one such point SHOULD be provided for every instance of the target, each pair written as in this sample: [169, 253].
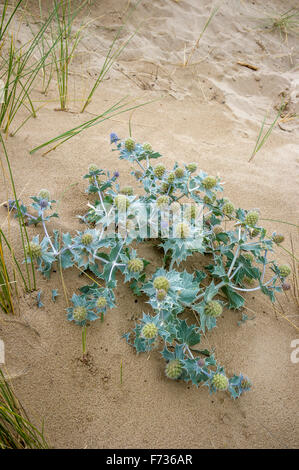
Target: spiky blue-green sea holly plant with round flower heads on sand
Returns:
[184, 211]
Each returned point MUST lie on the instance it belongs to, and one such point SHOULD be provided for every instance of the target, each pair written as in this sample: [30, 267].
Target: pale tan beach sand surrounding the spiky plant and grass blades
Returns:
[210, 113]
